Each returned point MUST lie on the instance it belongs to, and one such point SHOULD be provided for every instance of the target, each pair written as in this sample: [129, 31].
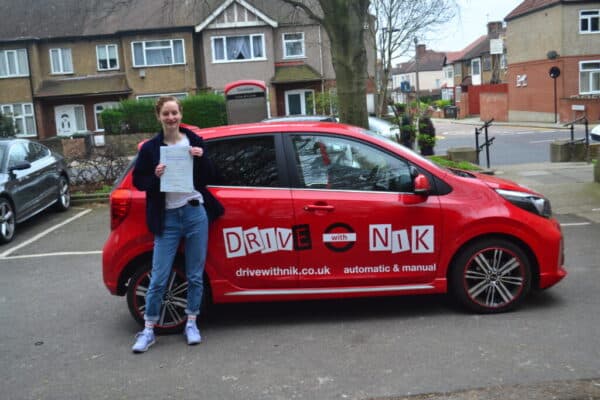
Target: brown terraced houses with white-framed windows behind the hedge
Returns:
[63, 61]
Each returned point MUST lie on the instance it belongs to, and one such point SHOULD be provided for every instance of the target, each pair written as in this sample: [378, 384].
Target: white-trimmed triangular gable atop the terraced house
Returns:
[236, 14]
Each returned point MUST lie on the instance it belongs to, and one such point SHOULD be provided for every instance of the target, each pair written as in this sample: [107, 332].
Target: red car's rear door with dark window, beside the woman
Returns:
[252, 245]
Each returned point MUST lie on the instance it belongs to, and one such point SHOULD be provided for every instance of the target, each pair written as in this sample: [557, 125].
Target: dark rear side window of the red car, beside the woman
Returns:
[245, 161]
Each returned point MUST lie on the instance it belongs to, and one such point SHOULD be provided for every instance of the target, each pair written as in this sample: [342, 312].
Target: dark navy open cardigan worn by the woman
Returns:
[145, 179]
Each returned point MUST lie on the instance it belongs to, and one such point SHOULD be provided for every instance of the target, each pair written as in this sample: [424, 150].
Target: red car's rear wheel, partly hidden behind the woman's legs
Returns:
[172, 317]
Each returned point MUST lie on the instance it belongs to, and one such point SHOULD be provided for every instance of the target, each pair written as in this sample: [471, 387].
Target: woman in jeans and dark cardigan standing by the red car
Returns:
[172, 216]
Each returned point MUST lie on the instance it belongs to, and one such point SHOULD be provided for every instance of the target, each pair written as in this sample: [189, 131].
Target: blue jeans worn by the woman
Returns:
[189, 222]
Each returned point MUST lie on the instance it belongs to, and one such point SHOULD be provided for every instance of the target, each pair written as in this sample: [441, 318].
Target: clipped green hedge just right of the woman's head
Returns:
[204, 110]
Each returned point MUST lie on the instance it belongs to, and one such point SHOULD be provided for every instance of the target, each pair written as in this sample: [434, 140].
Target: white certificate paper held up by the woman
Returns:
[178, 176]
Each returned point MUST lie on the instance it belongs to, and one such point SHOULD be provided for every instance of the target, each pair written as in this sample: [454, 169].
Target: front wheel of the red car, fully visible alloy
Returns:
[491, 276]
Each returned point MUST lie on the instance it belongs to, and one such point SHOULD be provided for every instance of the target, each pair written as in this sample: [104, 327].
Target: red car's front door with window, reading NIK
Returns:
[366, 226]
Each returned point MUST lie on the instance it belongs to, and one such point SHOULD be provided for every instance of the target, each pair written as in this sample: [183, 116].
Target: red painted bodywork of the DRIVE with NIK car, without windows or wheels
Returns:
[329, 243]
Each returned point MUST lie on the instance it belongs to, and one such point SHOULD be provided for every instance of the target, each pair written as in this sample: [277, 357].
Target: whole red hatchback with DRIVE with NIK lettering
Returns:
[325, 210]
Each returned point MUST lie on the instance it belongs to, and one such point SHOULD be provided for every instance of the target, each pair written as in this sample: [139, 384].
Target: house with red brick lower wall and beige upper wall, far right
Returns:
[542, 34]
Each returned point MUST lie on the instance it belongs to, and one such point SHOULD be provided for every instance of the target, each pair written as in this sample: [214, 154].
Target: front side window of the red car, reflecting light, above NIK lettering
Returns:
[330, 162]
